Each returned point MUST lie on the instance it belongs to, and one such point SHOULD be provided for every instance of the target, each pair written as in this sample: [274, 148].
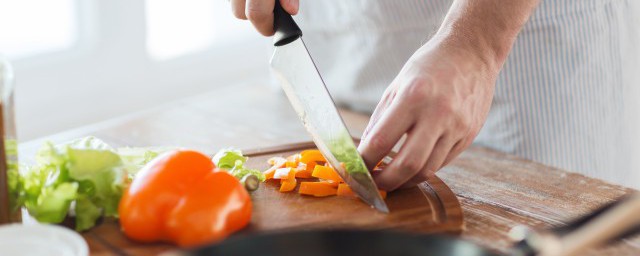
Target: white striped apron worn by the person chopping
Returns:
[567, 95]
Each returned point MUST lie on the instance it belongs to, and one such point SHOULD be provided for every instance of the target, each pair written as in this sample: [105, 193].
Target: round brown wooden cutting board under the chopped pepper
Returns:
[430, 207]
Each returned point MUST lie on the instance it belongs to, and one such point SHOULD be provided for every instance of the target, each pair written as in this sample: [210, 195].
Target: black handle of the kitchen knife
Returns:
[286, 29]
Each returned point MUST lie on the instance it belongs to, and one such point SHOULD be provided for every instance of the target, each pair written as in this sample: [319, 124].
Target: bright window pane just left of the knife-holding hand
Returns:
[179, 27]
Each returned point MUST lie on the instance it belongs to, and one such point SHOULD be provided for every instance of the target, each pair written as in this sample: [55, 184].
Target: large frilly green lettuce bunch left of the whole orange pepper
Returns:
[86, 171]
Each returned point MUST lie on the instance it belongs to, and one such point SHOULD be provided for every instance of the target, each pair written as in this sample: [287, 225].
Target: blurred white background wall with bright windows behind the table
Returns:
[79, 62]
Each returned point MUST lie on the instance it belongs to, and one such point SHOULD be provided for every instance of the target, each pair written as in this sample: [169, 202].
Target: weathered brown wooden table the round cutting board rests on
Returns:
[497, 191]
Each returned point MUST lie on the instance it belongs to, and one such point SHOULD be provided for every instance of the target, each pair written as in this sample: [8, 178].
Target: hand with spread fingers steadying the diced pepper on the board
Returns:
[440, 100]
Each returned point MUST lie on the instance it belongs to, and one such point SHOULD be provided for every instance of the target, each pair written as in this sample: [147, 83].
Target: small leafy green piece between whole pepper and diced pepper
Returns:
[233, 161]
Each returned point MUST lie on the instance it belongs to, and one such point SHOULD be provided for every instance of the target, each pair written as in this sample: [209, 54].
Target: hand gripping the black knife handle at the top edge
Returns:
[260, 12]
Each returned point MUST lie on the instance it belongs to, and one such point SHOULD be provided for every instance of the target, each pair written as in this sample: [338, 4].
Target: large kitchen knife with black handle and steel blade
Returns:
[308, 94]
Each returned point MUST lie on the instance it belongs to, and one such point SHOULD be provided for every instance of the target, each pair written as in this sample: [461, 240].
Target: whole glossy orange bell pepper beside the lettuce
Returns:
[181, 197]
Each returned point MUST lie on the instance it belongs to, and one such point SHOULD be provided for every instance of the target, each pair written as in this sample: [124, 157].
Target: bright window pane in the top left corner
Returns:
[30, 27]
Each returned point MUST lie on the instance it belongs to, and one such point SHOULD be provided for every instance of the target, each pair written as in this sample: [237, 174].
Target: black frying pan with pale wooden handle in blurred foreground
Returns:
[609, 223]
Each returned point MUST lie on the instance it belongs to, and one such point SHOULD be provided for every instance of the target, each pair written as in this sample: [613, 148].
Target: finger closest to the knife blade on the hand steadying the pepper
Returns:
[394, 123]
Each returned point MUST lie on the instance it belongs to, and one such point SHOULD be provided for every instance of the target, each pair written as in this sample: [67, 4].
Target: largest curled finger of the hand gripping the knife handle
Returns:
[260, 13]
